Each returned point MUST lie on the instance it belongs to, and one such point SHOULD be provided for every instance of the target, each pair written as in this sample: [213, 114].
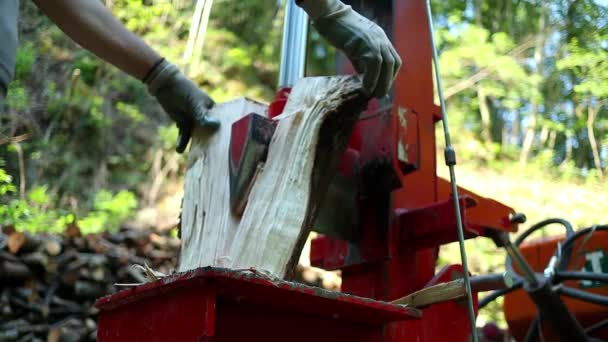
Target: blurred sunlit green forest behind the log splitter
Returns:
[526, 83]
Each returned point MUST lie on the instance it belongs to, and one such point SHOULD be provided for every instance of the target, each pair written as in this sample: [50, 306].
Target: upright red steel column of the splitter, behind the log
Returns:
[403, 225]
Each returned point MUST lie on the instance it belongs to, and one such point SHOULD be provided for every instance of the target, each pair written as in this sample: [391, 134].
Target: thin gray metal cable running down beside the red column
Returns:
[450, 160]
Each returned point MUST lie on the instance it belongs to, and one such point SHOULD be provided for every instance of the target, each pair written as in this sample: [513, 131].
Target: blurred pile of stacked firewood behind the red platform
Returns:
[49, 283]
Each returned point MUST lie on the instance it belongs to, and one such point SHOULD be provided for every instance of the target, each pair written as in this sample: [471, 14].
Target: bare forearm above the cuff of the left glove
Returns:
[92, 25]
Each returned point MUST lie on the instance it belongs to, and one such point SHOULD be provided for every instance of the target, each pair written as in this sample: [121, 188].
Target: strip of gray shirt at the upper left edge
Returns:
[9, 13]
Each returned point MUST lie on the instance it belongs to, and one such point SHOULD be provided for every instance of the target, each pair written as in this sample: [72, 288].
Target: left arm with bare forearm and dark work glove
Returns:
[94, 27]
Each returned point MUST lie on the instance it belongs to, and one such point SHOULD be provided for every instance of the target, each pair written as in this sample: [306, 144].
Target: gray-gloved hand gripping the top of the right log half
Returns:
[363, 42]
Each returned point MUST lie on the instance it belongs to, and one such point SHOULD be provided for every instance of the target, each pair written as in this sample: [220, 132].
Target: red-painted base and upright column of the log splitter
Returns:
[404, 214]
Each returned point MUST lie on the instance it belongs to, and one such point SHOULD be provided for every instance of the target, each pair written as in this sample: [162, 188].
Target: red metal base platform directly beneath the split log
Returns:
[212, 304]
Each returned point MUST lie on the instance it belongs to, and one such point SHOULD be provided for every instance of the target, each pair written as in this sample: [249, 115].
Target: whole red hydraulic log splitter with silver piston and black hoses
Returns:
[383, 221]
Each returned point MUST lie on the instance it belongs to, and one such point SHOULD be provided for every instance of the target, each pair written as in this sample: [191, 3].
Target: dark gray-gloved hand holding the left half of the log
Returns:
[181, 99]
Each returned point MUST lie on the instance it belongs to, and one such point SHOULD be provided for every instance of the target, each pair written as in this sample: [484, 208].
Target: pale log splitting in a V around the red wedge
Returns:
[284, 200]
